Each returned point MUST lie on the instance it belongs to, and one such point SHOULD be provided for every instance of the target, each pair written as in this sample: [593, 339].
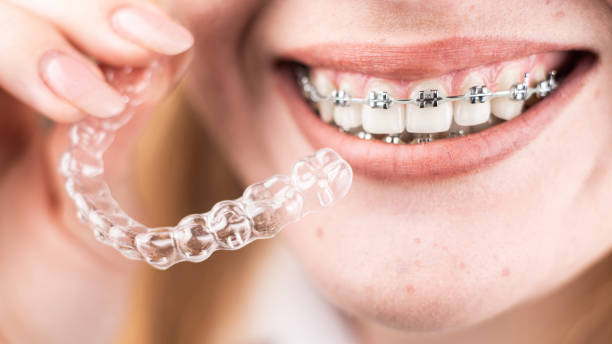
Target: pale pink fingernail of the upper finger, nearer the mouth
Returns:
[152, 29]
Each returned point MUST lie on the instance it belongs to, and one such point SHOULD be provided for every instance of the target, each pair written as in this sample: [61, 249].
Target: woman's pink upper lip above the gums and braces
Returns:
[420, 60]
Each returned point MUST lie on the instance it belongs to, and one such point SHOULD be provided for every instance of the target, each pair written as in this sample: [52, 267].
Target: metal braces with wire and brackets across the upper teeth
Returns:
[430, 97]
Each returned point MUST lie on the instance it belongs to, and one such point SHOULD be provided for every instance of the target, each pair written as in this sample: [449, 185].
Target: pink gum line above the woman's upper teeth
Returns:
[453, 81]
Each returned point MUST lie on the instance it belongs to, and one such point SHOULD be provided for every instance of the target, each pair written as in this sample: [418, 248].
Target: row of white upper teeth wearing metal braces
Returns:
[428, 110]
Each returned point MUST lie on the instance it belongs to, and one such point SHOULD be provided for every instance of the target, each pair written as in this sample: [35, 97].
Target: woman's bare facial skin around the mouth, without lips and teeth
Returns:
[472, 246]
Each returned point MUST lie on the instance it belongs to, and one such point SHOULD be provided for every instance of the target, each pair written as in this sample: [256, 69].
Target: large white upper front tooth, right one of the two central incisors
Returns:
[429, 120]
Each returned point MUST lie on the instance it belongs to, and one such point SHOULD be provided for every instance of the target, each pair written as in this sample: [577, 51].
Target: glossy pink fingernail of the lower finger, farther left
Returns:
[74, 81]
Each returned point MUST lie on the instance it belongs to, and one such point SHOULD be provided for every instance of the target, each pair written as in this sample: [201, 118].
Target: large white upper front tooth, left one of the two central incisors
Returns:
[383, 121]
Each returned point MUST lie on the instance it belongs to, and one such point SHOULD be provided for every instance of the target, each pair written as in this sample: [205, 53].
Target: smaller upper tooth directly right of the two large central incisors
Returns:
[466, 113]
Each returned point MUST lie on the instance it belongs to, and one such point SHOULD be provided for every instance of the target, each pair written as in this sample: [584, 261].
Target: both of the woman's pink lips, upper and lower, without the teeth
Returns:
[442, 157]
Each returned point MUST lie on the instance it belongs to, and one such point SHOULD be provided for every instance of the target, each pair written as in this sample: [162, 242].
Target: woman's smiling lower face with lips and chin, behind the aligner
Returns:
[437, 234]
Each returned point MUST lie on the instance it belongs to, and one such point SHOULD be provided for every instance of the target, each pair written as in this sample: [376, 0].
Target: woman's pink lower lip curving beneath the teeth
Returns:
[442, 158]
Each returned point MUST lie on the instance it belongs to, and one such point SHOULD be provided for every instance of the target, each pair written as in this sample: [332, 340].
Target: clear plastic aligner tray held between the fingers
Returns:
[315, 182]
